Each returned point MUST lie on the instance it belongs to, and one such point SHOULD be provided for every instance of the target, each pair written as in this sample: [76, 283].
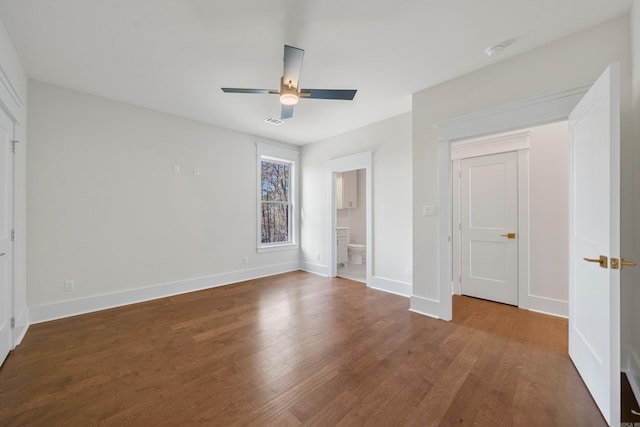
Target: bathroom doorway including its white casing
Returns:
[351, 240]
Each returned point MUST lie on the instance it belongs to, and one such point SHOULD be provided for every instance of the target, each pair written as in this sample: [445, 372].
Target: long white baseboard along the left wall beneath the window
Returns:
[58, 310]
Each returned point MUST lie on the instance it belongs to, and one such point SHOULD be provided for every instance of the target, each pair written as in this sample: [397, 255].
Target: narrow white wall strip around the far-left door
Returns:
[10, 64]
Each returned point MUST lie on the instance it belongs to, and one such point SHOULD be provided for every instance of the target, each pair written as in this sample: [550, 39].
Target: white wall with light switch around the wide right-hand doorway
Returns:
[567, 63]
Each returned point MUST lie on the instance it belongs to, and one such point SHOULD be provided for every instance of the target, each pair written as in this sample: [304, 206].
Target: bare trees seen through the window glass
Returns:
[275, 201]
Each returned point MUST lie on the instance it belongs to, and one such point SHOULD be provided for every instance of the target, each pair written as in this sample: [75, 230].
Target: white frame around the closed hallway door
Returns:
[519, 142]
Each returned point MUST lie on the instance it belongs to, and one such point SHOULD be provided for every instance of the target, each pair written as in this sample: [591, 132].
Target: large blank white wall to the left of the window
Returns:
[107, 211]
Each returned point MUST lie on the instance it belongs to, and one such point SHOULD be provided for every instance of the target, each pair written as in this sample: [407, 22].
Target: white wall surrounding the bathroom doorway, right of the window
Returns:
[390, 142]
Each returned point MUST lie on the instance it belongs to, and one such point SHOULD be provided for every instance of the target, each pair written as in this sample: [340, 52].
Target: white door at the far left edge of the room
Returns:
[6, 226]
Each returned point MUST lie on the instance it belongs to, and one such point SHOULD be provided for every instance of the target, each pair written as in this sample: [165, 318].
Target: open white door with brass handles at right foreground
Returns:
[594, 228]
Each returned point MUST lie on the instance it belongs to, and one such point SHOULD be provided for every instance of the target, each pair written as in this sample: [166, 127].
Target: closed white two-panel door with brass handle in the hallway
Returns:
[489, 227]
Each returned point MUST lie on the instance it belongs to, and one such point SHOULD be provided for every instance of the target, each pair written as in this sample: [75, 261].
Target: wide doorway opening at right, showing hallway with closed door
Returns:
[528, 238]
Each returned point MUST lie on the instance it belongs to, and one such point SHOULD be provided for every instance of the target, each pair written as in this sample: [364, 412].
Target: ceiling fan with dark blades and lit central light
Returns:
[289, 92]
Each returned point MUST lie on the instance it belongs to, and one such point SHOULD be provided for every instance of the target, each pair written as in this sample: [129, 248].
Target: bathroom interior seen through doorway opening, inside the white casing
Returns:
[351, 224]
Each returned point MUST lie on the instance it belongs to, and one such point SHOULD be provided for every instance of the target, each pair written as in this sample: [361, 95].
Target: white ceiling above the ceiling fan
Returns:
[175, 55]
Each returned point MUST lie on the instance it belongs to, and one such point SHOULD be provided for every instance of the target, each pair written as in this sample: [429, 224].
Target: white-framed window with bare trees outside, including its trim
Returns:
[277, 214]
